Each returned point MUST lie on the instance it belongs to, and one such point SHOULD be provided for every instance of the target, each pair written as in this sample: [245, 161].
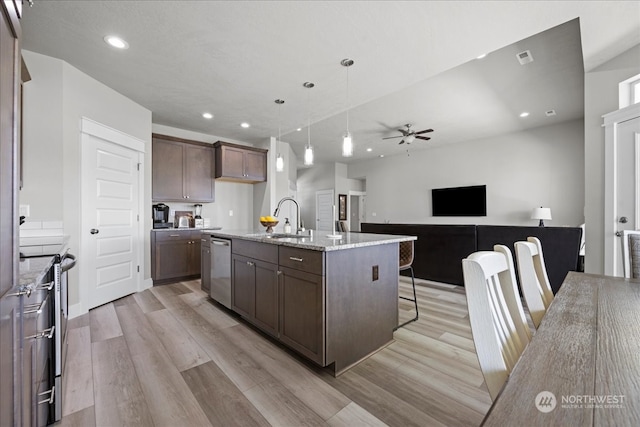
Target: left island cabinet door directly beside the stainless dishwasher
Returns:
[243, 286]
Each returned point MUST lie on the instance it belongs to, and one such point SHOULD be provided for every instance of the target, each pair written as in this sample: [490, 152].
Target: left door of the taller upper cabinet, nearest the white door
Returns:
[167, 171]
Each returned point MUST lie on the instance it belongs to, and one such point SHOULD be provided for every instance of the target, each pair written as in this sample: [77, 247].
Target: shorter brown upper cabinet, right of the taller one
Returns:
[240, 163]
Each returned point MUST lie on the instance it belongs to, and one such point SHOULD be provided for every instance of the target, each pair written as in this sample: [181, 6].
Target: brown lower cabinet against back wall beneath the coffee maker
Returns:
[175, 255]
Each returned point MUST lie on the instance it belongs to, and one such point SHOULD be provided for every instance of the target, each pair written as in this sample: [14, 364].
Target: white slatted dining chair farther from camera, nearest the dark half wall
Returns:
[534, 281]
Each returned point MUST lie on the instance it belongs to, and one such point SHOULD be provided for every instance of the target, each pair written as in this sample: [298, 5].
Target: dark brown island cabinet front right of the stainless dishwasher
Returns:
[281, 291]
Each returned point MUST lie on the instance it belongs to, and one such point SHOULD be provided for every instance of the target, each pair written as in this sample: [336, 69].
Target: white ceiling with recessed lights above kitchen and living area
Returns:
[414, 63]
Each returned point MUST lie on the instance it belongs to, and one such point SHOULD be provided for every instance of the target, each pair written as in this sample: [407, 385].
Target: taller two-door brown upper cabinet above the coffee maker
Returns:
[182, 170]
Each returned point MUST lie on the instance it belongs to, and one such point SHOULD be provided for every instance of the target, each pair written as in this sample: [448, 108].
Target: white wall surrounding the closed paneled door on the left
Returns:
[67, 95]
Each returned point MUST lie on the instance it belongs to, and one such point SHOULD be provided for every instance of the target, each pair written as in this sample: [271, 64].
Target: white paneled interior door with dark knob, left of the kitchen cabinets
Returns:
[111, 182]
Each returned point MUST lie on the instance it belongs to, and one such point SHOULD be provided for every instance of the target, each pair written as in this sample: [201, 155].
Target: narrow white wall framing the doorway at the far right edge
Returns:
[601, 97]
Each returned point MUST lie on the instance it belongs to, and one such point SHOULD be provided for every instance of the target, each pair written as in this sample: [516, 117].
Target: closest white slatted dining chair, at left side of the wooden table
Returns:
[499, 328]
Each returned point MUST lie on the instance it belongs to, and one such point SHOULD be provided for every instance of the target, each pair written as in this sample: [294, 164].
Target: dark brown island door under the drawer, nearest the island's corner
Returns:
[302, 313]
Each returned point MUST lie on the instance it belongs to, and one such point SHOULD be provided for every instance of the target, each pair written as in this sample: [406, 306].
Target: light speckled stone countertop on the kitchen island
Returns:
[317, 242]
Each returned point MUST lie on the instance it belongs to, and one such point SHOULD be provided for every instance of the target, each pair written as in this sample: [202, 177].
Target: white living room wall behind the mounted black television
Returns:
[540, 167]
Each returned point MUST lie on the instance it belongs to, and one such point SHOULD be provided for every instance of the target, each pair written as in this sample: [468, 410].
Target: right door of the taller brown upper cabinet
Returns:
[198, 173]
